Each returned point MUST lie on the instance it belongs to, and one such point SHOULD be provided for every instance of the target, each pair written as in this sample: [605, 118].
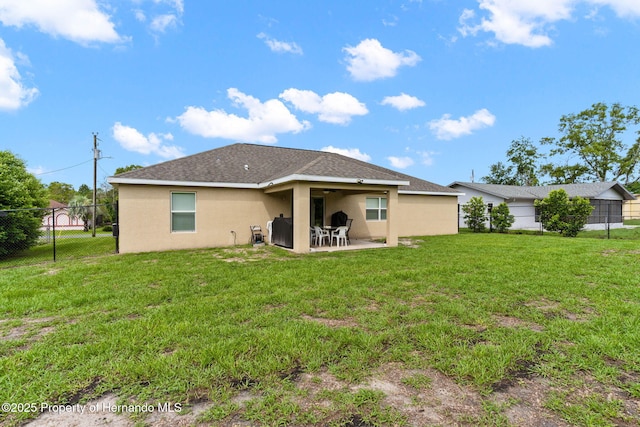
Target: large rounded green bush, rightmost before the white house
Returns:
[564, 215]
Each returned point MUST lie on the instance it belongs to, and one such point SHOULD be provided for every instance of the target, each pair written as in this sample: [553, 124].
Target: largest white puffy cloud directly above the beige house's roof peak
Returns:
[264, 122]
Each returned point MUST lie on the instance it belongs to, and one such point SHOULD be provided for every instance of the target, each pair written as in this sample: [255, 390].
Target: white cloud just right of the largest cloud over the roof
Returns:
[336, 107]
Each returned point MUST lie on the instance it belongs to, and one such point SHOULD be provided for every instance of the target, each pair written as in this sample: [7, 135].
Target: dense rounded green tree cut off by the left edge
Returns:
[19, 229]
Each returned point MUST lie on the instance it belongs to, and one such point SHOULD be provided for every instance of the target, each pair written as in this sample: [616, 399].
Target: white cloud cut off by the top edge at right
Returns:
[528, 22]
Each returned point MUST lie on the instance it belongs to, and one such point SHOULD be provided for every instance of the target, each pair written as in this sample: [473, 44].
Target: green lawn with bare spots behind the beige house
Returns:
[187, 326]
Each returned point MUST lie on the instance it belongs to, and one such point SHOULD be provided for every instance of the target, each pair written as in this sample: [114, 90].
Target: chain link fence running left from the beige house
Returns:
[32, 236]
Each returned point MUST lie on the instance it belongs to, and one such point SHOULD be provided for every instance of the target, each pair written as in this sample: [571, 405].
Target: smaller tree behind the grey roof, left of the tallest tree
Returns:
[523, 157]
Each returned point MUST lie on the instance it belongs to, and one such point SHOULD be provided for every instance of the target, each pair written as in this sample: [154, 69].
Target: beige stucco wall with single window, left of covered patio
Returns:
[223, 217]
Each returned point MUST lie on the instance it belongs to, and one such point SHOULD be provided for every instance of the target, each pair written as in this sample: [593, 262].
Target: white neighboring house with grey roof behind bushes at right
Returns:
[605, 197]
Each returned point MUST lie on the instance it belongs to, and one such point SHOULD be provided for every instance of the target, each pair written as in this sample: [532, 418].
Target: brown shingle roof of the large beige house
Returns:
[255, 164]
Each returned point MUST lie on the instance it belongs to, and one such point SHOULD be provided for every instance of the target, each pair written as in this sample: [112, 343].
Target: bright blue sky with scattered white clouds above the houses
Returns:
[431, 88]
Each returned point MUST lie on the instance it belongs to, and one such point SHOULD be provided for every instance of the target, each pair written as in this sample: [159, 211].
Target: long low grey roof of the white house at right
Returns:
[587, 190]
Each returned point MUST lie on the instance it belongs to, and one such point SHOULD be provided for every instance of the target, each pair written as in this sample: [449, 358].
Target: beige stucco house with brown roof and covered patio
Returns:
[212, 198]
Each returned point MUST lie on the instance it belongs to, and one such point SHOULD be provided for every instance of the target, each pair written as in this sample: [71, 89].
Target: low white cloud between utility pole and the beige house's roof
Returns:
[132, 140]
